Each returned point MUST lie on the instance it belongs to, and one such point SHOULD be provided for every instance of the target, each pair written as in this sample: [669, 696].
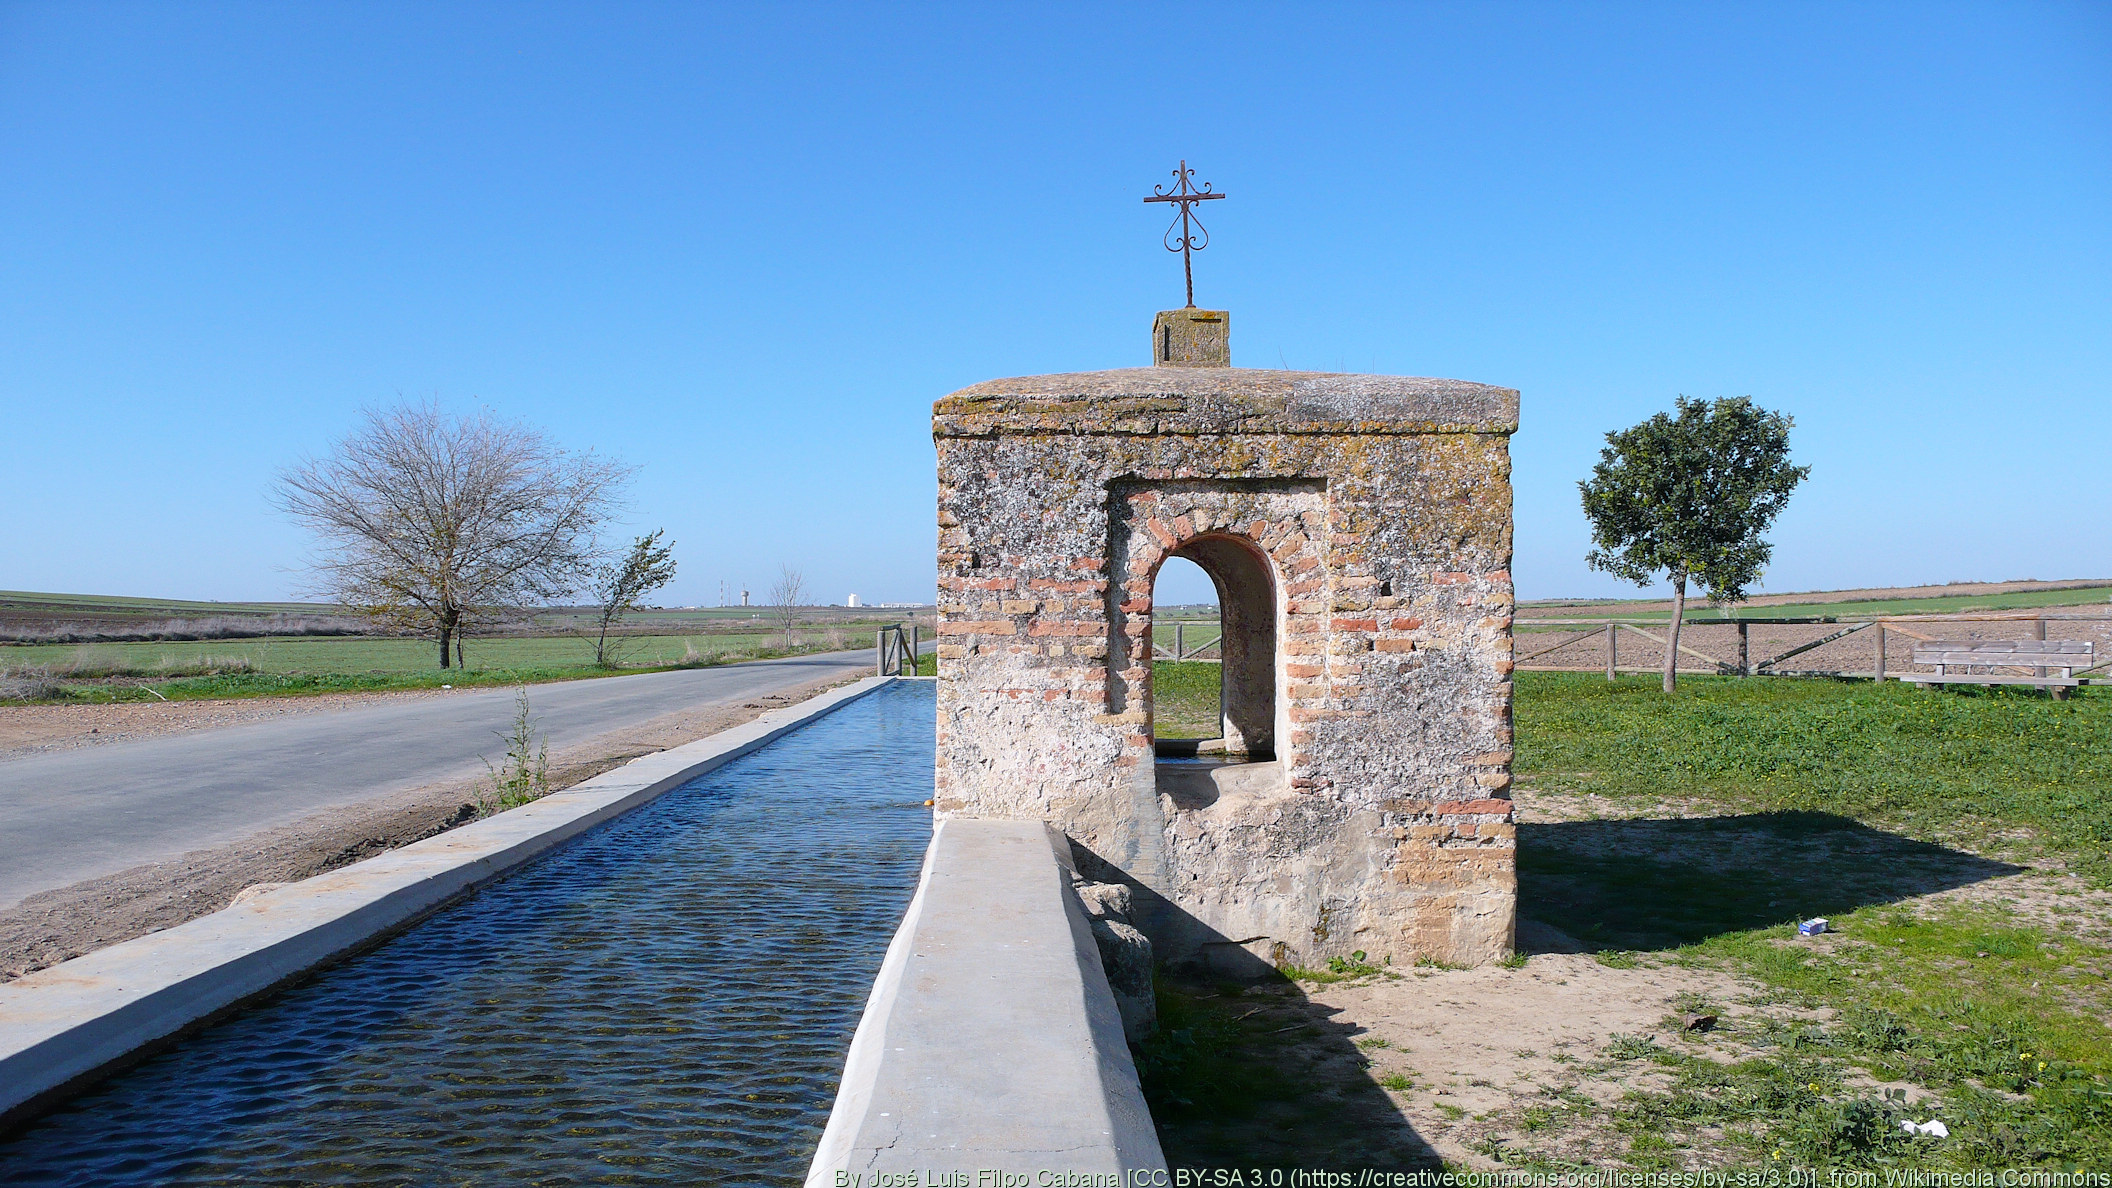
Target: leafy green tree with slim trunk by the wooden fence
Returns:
[1689, 498]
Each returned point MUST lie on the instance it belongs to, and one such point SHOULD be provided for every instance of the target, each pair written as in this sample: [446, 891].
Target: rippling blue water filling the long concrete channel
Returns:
[662, 1001]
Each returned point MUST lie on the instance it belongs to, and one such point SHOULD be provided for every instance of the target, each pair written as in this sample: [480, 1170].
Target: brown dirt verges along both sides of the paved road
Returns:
[67, 923]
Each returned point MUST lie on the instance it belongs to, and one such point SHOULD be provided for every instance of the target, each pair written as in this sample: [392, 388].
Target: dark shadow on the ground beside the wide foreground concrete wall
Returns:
[1258, 1075]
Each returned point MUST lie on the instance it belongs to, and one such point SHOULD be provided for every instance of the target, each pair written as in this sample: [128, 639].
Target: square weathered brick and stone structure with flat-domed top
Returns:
[1359, 534]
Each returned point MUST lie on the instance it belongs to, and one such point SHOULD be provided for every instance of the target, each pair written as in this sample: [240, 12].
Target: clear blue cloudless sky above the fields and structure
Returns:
[747, 246]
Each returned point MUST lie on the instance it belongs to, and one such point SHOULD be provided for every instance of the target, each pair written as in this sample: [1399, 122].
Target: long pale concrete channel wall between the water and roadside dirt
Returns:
[71, 1024]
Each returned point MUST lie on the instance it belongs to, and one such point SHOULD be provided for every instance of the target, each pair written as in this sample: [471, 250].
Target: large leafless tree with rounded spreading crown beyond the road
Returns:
[432, 521]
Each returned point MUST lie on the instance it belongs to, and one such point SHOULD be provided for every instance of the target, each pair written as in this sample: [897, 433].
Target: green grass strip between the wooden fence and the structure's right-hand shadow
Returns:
[1957, 766]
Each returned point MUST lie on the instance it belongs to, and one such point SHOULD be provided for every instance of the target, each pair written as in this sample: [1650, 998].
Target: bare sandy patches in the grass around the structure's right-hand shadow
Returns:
[1463, 1066]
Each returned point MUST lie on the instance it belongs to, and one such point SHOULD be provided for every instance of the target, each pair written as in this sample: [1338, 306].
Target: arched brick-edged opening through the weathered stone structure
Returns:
[1239, 650]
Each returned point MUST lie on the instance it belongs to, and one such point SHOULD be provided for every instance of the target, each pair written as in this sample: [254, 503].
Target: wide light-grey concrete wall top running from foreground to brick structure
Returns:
[992, 1041]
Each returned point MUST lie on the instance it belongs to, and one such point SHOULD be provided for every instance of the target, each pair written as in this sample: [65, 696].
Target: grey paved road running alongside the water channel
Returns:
[92, 813]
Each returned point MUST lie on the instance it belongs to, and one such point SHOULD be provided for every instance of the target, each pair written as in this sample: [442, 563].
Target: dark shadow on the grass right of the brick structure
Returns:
[1661, 885]
